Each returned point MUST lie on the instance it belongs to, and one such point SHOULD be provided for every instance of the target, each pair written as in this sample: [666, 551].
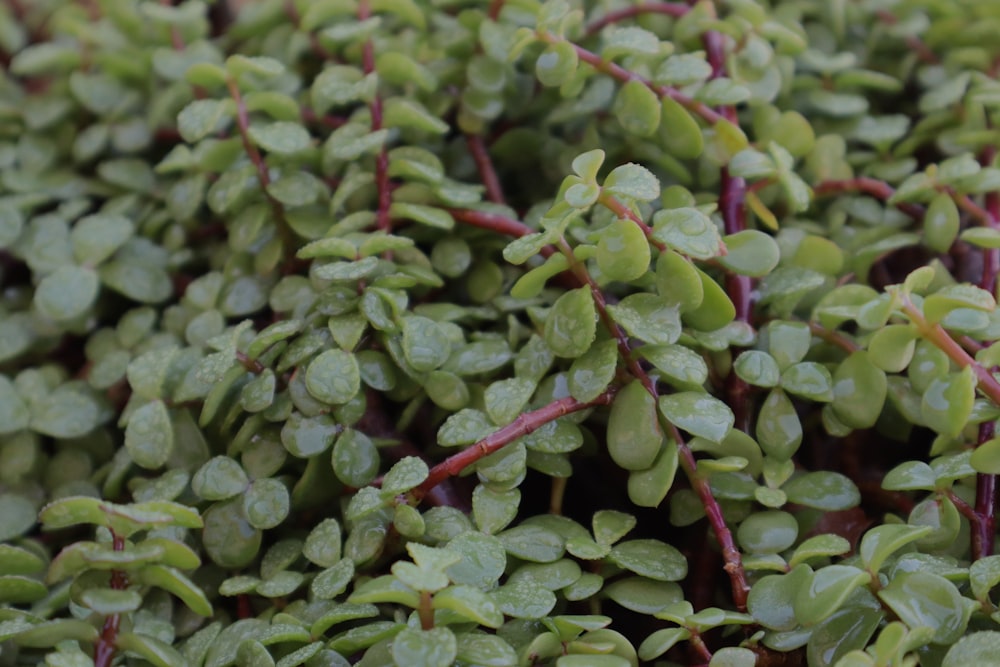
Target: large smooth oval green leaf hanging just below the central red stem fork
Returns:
[634, 435]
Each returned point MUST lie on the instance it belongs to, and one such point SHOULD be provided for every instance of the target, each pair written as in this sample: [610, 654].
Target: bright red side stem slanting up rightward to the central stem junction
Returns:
[523, 425]
